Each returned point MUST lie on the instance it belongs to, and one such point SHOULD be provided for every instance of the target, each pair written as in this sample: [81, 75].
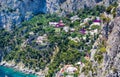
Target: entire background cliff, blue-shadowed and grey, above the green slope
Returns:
[13, 12]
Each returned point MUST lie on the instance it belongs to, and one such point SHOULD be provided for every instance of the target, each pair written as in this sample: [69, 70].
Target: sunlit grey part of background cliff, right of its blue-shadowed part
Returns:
[65, 6]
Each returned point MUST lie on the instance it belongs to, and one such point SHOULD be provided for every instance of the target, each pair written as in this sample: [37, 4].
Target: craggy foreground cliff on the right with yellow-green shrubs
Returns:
[110, 63]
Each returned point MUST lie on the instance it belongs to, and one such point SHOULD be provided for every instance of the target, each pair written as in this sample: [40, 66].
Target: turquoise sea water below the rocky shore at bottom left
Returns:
[9, 72]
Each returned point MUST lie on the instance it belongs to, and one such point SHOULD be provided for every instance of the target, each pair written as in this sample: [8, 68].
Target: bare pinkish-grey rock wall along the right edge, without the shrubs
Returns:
[113, 49]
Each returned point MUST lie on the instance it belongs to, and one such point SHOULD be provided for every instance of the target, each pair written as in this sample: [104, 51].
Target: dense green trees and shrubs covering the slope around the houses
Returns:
[58, 49]
